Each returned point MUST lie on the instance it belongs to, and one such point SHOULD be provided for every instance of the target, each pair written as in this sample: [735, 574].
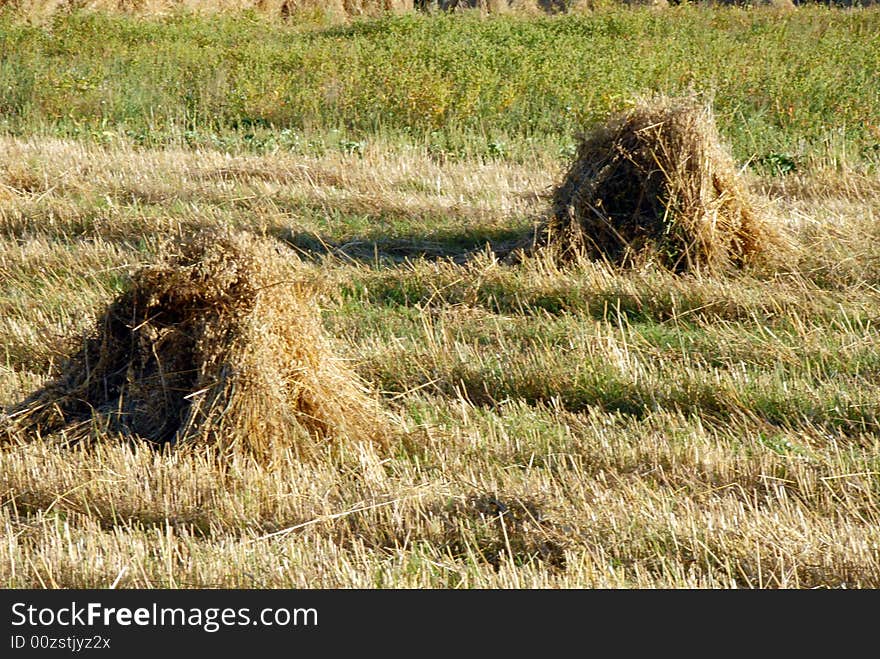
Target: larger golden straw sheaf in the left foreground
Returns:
[217, 343]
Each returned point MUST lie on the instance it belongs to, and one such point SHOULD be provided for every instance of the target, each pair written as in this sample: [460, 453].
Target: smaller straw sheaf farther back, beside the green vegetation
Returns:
[656, 183]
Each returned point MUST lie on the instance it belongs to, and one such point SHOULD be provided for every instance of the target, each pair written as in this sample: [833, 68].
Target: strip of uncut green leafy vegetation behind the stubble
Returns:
[789, 87]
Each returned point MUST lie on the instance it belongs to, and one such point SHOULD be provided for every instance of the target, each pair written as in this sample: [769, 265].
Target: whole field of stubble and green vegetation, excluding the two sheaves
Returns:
[580, 427]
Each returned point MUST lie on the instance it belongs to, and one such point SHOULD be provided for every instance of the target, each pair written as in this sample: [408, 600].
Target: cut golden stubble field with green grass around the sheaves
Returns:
[579, 427]
